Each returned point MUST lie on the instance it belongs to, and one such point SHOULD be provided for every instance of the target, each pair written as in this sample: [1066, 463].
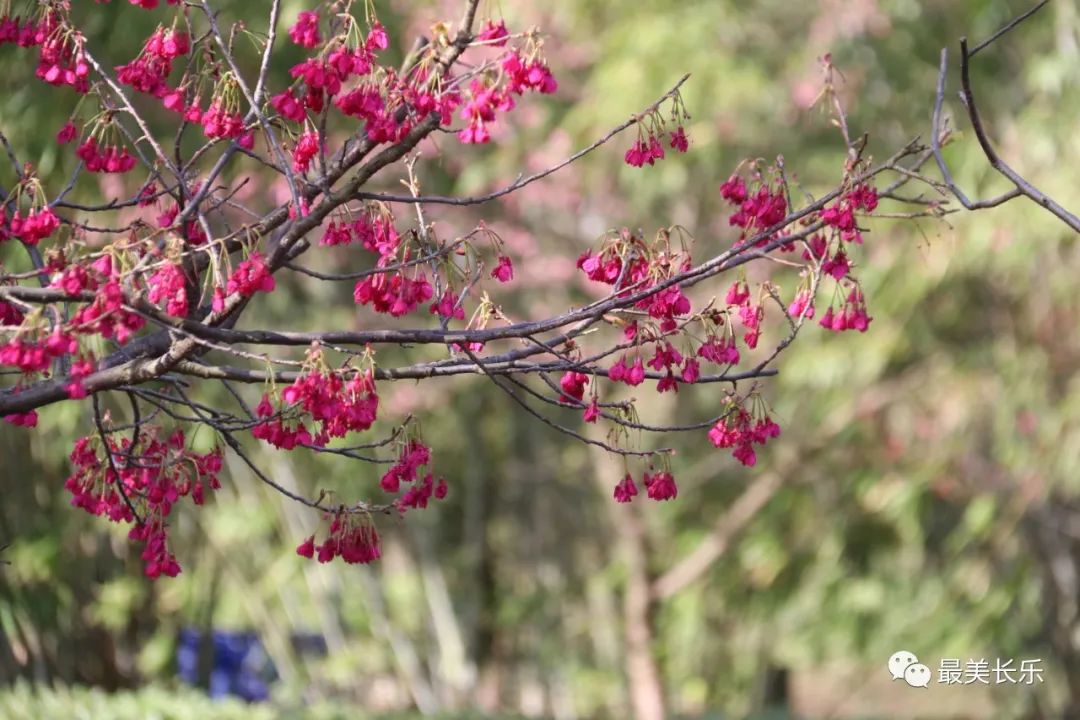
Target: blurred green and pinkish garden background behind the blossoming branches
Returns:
[924, 497]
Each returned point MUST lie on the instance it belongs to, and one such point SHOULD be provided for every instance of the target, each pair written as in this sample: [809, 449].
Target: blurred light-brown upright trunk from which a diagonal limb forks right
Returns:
[645, 687]
